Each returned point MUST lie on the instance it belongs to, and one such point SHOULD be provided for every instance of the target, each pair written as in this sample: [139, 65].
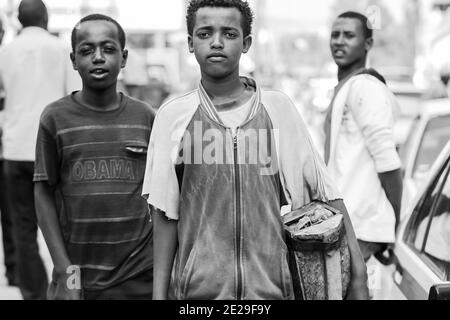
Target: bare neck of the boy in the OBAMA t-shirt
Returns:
[104, 100]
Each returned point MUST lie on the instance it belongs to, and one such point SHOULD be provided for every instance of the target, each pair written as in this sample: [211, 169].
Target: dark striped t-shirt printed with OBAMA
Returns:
[96, 161]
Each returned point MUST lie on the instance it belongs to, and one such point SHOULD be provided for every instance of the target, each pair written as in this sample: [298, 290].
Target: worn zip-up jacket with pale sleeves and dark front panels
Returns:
[226, 190]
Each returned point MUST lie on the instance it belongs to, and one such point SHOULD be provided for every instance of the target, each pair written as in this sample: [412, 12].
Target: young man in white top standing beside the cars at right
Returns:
[360, 149]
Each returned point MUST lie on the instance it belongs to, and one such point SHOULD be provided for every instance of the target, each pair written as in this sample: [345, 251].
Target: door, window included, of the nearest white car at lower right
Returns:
[423, 249]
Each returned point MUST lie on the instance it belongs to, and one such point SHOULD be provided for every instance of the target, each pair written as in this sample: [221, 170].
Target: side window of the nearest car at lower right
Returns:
[428, 232]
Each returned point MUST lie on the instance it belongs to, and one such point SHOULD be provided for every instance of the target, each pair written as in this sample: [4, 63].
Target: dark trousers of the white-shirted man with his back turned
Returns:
[31, 272]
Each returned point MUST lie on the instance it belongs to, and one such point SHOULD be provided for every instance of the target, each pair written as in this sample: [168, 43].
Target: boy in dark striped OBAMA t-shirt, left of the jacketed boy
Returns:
[90, 162]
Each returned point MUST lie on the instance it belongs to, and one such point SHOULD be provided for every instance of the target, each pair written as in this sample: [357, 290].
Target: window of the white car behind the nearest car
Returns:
[435, 137]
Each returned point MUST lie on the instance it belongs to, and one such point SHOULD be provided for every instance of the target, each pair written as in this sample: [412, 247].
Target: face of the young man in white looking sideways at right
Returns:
[347, 43]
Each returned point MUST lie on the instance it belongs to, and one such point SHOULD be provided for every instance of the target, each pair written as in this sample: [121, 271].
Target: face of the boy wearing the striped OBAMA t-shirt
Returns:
[98, 56]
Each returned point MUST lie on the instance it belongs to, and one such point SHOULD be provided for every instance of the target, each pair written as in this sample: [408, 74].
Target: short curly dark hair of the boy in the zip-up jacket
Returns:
[241, 5]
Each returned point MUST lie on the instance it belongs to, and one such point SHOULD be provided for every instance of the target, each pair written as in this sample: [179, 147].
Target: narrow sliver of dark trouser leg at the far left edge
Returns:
[7, 231]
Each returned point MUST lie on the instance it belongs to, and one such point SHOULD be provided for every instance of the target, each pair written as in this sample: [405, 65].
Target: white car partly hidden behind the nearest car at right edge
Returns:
[428, 134]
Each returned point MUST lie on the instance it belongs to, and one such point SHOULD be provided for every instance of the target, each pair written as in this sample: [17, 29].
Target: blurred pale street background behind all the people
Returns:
[290, 53]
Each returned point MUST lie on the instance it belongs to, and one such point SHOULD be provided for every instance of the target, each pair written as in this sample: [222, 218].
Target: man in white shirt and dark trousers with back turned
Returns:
[35, 70]
